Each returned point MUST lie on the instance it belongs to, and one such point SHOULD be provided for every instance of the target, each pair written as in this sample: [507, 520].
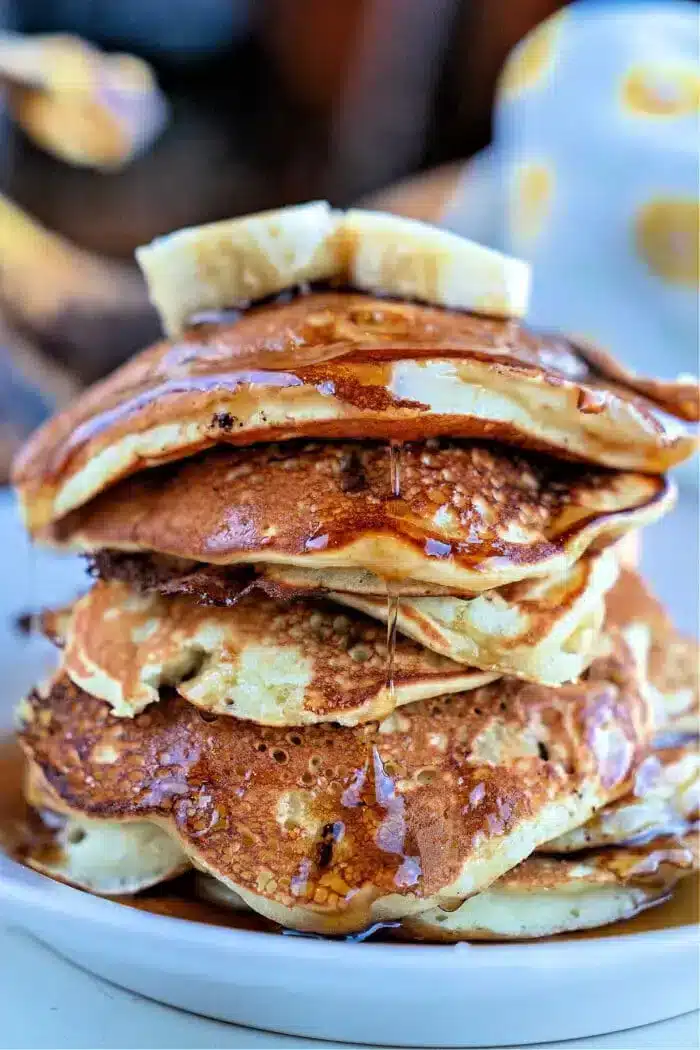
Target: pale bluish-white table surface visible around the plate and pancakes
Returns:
[49, 1003]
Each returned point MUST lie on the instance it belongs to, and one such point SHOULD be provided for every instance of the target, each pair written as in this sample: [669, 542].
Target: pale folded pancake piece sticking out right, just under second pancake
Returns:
[543, 629]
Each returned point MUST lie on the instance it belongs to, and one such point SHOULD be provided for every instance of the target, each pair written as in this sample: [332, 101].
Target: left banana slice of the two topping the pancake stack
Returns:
[225, 264]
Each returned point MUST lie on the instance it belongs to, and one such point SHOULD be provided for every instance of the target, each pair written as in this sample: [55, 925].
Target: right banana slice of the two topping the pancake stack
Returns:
[416, 261]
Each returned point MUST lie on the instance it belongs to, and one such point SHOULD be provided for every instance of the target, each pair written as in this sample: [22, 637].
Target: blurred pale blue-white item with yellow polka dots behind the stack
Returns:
[593, 178]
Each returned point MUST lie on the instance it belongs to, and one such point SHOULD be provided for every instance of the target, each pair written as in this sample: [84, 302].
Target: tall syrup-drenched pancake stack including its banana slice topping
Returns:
[366, 642]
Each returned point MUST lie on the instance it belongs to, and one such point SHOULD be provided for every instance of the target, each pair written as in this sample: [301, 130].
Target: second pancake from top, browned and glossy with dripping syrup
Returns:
[469, 518]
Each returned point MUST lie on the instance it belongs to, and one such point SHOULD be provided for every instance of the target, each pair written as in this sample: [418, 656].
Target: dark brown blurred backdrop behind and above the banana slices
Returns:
[272, 102]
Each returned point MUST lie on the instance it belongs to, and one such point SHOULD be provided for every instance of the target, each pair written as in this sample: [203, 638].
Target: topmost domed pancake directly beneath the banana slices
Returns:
[340, 366]
